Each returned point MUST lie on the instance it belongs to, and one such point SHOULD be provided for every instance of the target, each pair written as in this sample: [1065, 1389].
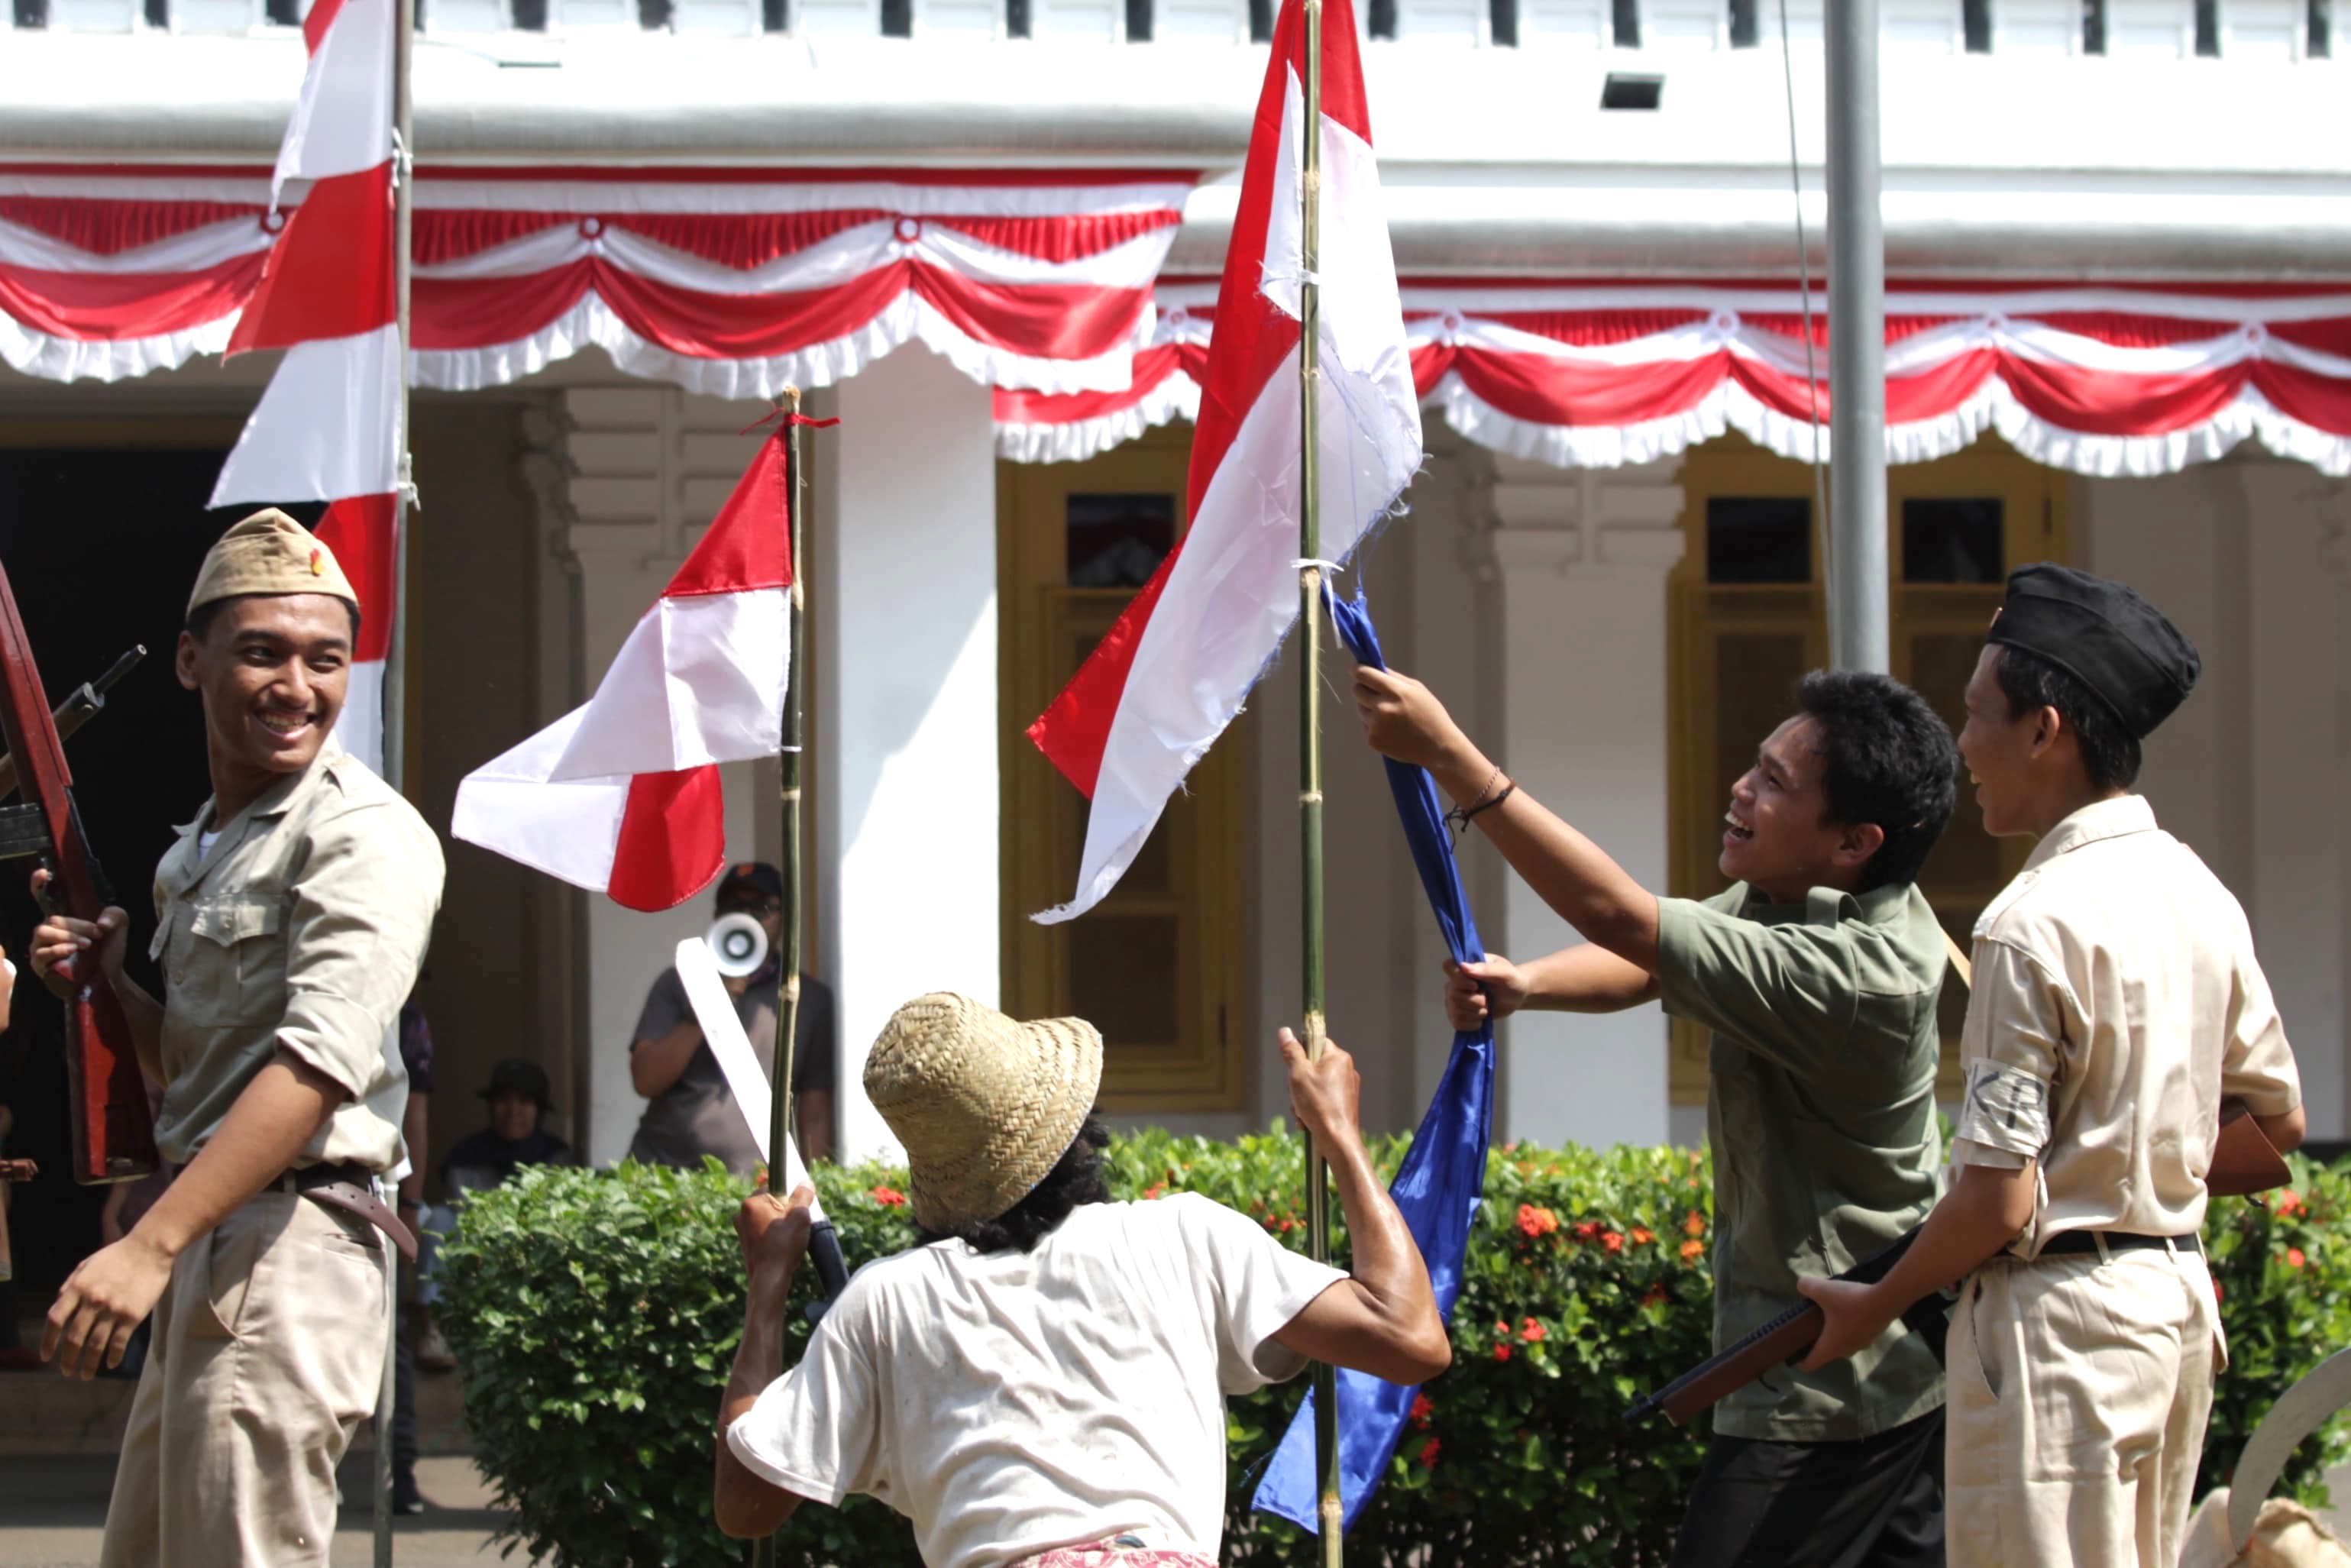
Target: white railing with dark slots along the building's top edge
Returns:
[2150, 29]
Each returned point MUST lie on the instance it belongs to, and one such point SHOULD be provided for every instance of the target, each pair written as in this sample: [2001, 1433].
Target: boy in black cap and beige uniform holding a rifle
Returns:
[2117, 1003]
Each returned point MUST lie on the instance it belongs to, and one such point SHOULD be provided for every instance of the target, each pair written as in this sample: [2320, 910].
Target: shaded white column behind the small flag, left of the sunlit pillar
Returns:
[648, 474]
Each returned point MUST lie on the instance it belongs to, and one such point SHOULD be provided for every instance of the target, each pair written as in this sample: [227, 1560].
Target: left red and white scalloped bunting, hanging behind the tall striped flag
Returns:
[723, 281]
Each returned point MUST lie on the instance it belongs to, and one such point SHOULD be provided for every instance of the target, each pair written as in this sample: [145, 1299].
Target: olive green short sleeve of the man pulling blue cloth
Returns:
[1786, 991]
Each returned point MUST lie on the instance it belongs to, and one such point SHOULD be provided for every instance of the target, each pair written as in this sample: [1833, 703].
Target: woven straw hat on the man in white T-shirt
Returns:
[984, 1104]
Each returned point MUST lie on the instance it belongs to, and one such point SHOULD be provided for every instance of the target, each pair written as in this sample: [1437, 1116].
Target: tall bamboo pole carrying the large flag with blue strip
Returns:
[1311, 892]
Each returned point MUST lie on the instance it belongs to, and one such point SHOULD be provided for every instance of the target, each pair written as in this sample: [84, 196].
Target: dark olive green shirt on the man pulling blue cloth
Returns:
[1823, 1125]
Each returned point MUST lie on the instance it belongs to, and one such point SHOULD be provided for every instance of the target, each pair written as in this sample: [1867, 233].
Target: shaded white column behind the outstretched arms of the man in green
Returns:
[1583, 561]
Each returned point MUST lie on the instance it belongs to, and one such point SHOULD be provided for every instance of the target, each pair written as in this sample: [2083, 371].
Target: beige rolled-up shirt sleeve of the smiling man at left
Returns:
[356, 937]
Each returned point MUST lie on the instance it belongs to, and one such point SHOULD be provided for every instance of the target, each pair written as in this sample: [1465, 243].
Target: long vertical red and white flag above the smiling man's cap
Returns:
[328, 427]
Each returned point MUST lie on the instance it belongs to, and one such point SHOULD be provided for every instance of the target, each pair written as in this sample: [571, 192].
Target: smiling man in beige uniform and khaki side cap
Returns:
[293, 916]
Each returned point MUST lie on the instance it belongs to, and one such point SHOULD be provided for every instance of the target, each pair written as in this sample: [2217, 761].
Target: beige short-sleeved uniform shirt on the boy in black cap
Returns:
[2117, 1003]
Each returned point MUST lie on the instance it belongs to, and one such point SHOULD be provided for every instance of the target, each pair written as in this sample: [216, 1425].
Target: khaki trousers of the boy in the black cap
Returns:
[2079, 1393]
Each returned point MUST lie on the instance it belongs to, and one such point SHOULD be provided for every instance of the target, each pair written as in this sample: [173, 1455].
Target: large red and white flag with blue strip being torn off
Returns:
[1177, 666]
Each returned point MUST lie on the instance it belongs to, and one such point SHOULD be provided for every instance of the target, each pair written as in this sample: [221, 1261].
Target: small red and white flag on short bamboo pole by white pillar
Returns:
[622, 796]
